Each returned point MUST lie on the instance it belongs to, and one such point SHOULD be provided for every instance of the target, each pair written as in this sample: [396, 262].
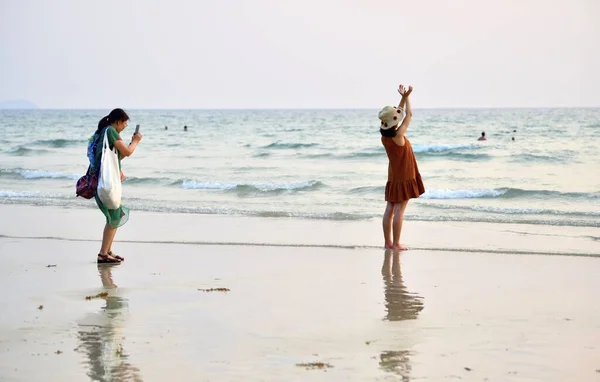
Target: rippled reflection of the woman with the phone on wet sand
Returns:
[100, 337]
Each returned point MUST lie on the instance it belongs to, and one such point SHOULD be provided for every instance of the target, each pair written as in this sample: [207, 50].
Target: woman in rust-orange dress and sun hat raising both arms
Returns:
[404, 180]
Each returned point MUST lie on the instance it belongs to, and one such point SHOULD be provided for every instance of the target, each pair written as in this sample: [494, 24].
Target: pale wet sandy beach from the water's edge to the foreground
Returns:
[302, 300]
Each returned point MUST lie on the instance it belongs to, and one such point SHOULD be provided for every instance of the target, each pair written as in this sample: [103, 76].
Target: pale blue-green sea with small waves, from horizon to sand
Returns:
[538, 166]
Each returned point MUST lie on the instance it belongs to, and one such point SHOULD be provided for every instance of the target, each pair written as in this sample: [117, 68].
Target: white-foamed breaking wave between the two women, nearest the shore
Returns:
[248, 189]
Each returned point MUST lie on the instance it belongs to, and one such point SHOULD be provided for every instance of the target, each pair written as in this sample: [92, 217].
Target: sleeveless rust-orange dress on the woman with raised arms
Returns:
[404, 181]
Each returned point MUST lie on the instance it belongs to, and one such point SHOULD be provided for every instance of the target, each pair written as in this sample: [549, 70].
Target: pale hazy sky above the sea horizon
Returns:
[240, 54]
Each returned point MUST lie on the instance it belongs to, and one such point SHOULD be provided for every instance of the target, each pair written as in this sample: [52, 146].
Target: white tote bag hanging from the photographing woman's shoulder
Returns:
[109, 183]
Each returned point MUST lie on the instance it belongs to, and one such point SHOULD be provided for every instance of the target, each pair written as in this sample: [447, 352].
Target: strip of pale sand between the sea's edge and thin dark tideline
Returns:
[85, 224]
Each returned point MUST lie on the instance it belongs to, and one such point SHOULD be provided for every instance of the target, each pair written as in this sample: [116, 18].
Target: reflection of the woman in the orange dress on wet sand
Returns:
[400, 305]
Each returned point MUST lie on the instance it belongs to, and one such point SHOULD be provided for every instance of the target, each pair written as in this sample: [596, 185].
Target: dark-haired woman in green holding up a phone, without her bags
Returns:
[111, 125]
